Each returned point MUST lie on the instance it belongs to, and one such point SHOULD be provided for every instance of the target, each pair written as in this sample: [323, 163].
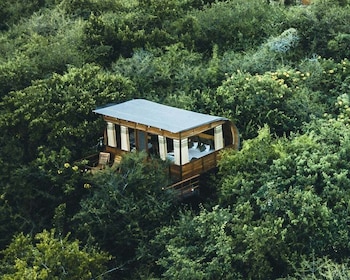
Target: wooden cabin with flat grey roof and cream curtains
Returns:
[190, 141]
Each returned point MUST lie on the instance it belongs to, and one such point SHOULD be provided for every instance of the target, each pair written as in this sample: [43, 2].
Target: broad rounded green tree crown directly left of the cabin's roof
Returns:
[58, 112]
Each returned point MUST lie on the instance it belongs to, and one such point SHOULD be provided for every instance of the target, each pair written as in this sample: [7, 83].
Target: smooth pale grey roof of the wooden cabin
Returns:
[157, 115]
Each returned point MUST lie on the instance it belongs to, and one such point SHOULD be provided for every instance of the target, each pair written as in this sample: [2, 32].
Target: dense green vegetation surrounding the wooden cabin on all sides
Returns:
[276, 209]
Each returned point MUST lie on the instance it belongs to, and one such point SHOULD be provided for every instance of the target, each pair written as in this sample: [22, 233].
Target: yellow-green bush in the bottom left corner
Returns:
[48, 256]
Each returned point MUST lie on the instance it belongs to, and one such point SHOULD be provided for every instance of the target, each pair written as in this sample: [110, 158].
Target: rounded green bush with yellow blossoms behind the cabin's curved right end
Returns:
[277, 99]
